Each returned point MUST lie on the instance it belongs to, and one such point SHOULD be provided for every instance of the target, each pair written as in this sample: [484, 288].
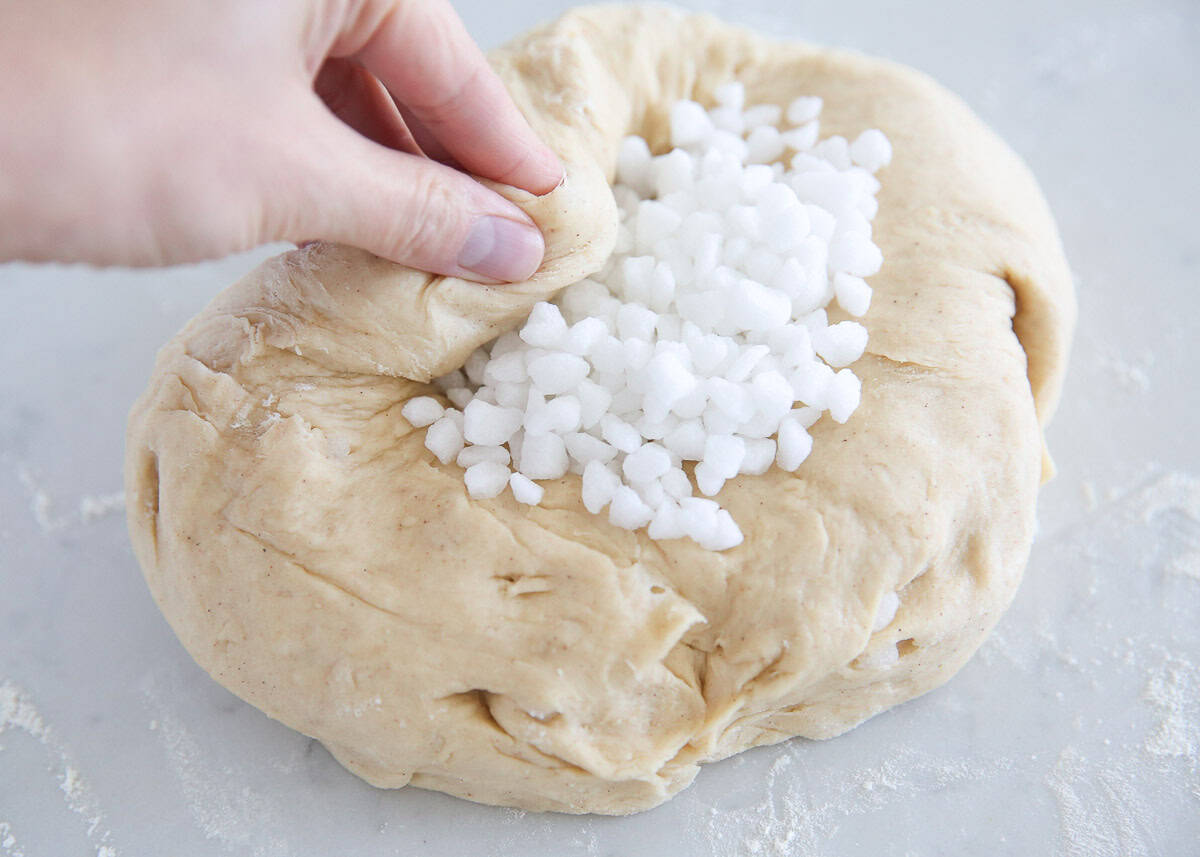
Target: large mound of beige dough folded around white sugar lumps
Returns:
[319, 562]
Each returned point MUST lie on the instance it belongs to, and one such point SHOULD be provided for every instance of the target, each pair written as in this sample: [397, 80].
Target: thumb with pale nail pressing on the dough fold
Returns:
[401, 207]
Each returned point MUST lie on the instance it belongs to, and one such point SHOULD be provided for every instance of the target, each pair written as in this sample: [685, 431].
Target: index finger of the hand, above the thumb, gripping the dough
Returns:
[424, 56]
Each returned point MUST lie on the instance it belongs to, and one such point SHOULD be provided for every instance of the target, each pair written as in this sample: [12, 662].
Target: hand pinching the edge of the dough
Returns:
[151, 133]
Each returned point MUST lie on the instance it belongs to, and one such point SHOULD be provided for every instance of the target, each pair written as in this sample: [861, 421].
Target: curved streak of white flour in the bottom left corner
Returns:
[19, 712]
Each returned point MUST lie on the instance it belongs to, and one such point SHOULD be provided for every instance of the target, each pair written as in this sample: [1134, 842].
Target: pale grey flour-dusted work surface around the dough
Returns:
[1075, 732]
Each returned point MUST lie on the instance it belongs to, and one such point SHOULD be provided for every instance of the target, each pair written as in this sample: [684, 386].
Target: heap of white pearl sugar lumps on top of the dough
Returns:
[699, 335]
